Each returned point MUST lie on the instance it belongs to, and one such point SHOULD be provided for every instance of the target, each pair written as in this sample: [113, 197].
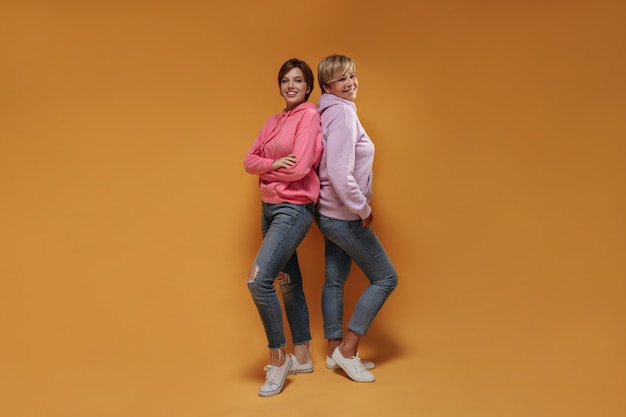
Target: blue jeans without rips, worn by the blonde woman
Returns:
[345, 241]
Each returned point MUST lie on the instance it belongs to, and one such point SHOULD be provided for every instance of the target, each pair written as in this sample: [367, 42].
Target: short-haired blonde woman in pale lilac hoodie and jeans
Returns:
[344, 216]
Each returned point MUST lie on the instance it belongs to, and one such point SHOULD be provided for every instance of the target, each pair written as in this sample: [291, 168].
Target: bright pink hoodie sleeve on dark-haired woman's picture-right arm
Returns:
[307, 149]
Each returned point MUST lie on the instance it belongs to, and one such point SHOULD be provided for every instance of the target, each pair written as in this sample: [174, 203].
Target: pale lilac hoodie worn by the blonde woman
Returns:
[345, 170]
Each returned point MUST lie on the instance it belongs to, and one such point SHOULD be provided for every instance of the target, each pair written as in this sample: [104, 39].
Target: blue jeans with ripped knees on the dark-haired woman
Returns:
[284, 226]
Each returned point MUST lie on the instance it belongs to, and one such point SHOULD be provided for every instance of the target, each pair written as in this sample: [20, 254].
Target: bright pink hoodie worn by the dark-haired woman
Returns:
[298, 132]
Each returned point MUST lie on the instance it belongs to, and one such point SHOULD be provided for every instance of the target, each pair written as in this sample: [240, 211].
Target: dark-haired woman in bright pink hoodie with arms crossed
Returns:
[285, 156]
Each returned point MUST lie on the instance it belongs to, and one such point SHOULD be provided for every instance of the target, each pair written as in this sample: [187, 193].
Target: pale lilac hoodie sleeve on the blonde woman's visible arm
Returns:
[340, 154]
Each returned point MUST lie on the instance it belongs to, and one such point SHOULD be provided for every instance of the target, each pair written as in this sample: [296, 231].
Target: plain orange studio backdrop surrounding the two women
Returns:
[128, 224]
